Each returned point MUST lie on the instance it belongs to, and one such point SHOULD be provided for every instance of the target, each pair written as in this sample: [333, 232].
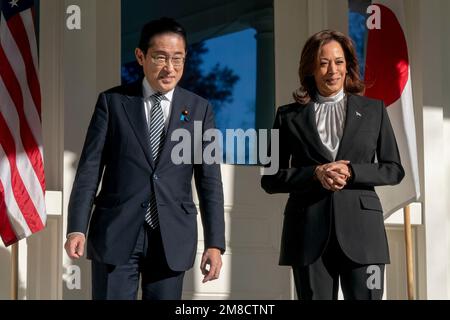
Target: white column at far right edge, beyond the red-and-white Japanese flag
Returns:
[434, 62]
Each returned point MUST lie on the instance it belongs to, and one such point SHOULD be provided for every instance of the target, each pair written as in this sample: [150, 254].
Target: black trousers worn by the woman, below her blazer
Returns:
[320, 280]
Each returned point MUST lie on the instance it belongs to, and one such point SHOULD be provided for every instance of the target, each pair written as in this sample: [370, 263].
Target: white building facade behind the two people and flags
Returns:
[76, 64]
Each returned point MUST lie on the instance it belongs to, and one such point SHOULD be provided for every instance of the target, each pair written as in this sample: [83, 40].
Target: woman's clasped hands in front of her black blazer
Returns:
[333, 176]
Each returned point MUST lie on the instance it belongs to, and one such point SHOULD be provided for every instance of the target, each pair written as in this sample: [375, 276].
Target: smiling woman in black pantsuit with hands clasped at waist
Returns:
[335, 147]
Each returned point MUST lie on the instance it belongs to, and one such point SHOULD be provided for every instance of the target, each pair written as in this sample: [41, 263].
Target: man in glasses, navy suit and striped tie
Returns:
[144, 221]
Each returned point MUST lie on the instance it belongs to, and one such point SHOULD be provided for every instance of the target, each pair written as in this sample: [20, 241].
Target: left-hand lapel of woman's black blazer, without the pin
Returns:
[306, 129]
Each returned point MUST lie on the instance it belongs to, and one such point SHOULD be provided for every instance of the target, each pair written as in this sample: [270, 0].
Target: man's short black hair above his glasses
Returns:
[157, 27]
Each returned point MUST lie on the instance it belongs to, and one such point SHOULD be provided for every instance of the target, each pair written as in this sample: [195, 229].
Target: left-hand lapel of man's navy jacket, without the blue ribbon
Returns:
[134, 109]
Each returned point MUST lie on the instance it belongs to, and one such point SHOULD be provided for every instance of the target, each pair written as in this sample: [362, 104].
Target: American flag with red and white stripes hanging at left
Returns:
[22, 181]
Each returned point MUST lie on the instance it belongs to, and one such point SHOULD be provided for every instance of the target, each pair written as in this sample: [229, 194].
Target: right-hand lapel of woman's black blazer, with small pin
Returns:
[353, 120]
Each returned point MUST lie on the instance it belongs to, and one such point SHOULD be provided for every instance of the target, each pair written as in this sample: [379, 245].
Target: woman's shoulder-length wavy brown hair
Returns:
[309, 62]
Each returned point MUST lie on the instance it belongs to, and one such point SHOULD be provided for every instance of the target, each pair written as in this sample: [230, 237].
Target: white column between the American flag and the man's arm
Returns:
[91, 65]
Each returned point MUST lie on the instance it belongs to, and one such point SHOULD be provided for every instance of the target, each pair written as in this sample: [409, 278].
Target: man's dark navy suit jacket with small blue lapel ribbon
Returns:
[117, 146]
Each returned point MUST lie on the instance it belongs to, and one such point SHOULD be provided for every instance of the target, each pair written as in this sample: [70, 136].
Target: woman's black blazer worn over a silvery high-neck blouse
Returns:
[357, 209]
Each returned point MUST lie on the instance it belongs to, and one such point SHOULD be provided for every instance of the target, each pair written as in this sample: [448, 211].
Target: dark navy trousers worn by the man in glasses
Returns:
[147, 262]
